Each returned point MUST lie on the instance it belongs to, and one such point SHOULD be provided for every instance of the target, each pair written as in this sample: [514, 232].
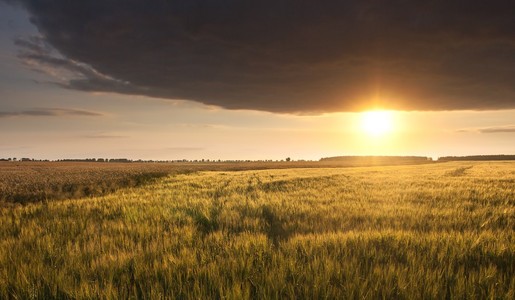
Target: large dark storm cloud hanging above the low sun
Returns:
[289, 55]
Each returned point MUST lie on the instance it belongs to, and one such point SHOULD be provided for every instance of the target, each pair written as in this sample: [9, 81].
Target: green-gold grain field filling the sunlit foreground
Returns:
[428, 231]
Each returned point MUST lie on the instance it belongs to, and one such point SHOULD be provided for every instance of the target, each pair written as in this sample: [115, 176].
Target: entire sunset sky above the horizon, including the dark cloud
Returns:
[255, 79]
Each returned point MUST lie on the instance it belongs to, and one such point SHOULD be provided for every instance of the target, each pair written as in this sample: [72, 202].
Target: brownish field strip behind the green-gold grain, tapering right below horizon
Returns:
[26, 182]
